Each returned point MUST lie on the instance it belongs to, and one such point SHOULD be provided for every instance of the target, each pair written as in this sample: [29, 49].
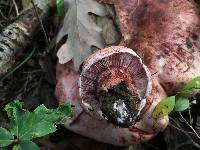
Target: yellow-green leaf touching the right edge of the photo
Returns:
[188, 88]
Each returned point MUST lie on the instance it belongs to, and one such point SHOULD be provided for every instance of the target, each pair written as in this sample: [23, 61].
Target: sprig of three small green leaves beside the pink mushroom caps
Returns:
[177, 103]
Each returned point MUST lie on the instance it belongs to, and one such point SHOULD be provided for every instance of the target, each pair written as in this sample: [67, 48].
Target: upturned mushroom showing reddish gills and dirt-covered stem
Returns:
[113, 85]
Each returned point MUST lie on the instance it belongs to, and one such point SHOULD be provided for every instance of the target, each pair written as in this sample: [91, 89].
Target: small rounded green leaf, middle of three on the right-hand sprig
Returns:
[181, 104]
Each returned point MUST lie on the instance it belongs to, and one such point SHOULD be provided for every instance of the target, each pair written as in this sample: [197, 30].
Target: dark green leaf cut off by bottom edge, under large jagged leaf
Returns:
[26, 145]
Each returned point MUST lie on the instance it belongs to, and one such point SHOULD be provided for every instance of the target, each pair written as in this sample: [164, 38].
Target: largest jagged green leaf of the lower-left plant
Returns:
[40, 122]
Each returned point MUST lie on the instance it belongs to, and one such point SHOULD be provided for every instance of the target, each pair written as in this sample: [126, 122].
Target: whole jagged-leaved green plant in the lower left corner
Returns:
[26, 125]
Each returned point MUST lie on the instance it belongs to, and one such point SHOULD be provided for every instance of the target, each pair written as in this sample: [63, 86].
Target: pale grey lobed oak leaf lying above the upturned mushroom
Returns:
[81, 30]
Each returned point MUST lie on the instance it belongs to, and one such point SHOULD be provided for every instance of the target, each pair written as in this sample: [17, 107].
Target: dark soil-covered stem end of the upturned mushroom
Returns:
[118, 105]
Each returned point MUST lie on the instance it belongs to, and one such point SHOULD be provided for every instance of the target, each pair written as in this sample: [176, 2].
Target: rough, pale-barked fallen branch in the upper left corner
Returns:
[15, 37]
